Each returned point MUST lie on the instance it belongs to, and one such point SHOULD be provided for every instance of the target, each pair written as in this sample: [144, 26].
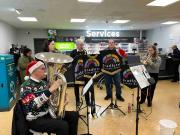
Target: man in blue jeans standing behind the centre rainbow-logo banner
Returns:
[110, 79]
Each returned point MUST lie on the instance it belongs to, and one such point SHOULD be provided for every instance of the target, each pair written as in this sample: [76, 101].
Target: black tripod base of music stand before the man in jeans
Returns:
[113, 106]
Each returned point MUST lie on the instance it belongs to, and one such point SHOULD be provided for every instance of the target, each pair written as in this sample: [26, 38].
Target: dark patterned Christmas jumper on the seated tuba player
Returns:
[34, 96]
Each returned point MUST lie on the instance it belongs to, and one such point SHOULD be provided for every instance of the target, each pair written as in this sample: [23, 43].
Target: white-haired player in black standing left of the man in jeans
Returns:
[79, 51]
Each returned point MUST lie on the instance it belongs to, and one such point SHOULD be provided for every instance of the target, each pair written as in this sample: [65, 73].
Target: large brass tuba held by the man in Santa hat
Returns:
[55, 64]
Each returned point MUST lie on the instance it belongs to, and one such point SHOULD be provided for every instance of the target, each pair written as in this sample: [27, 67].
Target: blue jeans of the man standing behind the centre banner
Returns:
[109, 80]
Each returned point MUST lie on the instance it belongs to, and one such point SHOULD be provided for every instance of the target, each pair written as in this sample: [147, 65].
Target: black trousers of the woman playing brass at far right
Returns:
[149, 91]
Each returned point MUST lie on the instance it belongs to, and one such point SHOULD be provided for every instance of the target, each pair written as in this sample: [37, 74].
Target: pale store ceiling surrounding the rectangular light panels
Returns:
[57, 14]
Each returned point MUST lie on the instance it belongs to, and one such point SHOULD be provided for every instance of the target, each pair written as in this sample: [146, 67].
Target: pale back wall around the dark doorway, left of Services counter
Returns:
[26, 36]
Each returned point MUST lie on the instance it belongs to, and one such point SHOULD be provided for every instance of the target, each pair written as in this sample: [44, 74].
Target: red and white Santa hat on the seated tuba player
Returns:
[33, 65]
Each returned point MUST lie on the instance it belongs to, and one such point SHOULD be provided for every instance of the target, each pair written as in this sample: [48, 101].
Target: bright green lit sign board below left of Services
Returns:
[65, 46]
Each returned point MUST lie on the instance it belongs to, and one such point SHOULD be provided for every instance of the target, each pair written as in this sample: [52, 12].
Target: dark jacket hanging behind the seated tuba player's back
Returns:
[19, 126]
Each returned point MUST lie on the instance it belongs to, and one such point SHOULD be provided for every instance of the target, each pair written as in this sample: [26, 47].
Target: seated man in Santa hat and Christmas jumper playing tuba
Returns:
[34, 96]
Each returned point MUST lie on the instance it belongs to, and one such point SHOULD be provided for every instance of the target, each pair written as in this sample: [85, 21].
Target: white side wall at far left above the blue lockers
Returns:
[7, 37]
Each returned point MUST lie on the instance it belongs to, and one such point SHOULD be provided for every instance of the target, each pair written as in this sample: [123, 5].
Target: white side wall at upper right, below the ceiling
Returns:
[165, 36]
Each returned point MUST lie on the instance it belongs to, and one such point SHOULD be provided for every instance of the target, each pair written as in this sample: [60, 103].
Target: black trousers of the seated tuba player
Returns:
[66, 126]
